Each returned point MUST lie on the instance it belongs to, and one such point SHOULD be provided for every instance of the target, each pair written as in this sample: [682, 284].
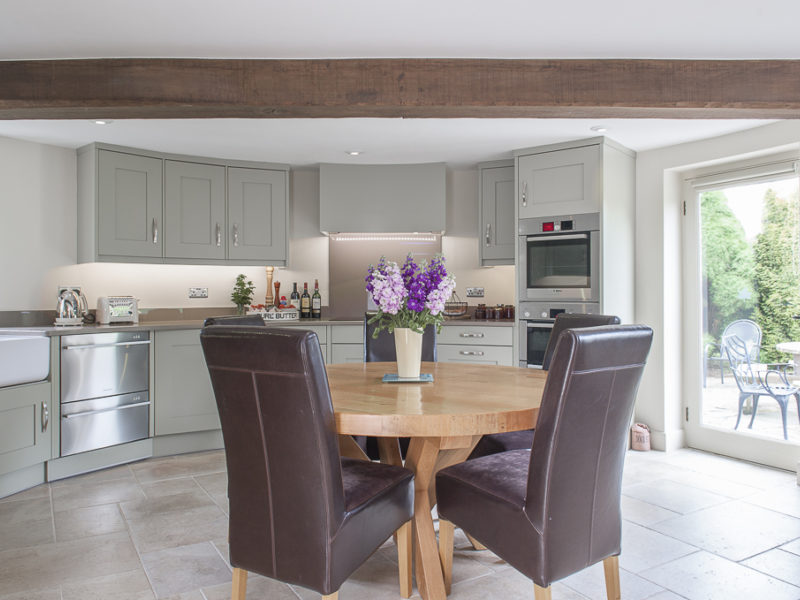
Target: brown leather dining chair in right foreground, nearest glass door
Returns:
[555, 509]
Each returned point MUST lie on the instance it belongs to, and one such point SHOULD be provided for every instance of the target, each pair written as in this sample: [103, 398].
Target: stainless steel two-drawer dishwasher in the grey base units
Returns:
[104, 390]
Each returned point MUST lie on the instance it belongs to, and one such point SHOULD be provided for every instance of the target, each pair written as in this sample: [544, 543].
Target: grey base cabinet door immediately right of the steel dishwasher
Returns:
[183, 397]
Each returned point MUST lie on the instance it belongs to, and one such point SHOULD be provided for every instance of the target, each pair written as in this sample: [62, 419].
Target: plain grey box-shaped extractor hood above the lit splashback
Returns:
[382, 198]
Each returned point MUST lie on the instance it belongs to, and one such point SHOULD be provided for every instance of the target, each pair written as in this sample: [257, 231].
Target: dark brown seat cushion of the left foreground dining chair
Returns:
[364, 480]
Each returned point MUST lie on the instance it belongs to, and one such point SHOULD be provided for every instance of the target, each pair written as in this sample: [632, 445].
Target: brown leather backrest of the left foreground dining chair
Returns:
[284, 472]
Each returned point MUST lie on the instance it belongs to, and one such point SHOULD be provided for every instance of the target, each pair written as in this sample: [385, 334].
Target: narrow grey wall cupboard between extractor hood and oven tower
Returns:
[498, 234]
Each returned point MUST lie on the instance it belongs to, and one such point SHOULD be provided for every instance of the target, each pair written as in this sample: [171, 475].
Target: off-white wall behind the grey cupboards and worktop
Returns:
[38, 247]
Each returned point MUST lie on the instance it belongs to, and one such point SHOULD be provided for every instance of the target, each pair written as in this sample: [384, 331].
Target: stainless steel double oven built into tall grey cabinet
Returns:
[559, 260]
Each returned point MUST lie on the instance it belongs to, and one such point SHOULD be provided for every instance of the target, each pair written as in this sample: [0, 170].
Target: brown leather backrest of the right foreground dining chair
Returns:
[579, 444]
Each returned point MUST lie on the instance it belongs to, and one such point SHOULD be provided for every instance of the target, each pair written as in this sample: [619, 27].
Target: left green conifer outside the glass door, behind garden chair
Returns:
[727, 265]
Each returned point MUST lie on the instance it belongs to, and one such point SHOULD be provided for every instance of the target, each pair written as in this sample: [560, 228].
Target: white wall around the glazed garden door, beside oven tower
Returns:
[658, 273]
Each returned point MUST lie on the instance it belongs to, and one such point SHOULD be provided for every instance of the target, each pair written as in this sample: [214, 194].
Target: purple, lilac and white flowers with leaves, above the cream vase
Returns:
[411, 296]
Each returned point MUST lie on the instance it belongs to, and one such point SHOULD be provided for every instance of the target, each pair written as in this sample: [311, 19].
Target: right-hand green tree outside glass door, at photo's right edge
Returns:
[777, 273]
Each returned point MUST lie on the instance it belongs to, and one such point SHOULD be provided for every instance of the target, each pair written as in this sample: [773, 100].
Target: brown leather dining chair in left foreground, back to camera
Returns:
[298, 512]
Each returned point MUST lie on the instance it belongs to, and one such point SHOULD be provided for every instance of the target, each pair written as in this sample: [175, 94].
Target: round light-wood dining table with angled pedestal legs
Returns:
[444, 419]
